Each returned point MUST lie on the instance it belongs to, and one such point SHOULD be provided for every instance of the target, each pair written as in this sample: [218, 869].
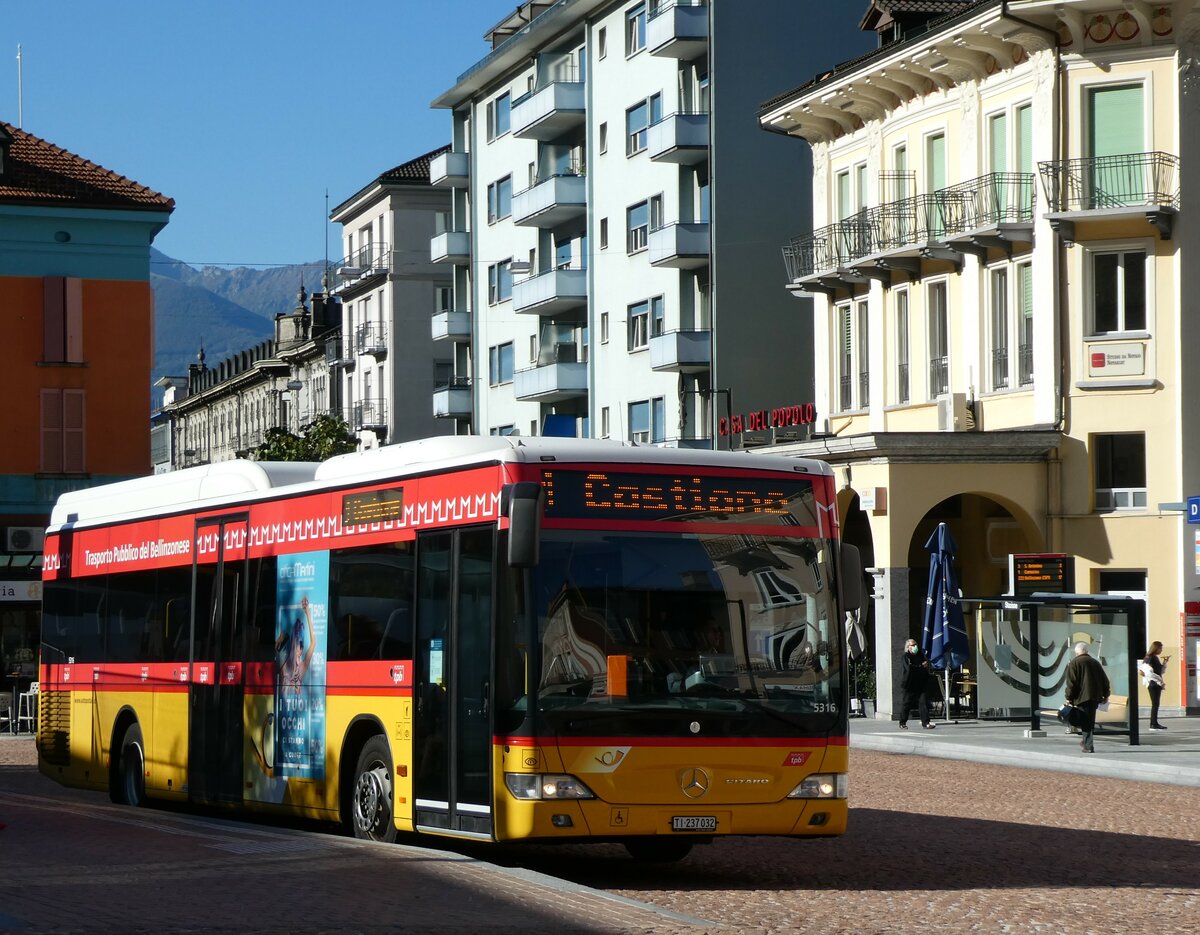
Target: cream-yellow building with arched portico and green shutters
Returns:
[995, 256]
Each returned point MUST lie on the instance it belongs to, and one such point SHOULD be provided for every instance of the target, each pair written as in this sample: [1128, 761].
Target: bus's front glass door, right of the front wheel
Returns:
[453, 728]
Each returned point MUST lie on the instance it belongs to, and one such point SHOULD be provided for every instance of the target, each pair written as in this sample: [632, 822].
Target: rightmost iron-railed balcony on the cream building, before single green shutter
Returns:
[1112, 188]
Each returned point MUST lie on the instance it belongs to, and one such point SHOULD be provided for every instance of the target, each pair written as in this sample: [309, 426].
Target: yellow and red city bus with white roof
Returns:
[495, 639]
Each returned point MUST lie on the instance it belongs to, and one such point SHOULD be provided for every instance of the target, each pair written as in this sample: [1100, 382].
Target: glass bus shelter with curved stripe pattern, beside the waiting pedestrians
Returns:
[1023, 648]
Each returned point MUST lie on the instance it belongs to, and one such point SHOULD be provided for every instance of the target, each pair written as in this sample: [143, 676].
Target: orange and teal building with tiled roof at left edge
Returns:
[79, 326]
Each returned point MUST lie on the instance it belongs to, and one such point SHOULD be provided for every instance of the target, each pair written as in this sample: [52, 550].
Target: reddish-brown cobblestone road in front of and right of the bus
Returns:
[934, 846]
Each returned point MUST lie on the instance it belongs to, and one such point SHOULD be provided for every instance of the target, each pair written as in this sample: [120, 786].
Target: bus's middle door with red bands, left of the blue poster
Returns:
[215, 694]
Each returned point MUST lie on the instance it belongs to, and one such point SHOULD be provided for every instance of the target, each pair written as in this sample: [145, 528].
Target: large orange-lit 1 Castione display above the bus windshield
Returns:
[680, 496]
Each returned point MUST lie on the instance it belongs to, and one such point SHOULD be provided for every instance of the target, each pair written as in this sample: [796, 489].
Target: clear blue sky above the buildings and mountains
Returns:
[244, 113]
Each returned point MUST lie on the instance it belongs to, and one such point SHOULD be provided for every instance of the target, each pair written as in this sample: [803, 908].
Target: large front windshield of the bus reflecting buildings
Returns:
[640, 624]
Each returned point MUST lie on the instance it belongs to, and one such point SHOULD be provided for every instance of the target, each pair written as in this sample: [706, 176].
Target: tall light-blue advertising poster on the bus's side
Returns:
[302, 628]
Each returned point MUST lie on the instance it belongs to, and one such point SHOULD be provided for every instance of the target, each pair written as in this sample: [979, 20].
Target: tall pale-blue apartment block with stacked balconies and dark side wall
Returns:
[611, 277]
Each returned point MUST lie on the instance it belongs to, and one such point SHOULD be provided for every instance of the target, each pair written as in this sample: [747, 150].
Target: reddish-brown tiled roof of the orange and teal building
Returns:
[38, 172]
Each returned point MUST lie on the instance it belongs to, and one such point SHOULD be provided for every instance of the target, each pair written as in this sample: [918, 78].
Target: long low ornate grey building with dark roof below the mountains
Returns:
[225, 411]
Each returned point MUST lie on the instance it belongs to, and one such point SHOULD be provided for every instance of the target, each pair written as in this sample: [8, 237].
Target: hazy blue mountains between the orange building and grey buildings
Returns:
[221, 310]
